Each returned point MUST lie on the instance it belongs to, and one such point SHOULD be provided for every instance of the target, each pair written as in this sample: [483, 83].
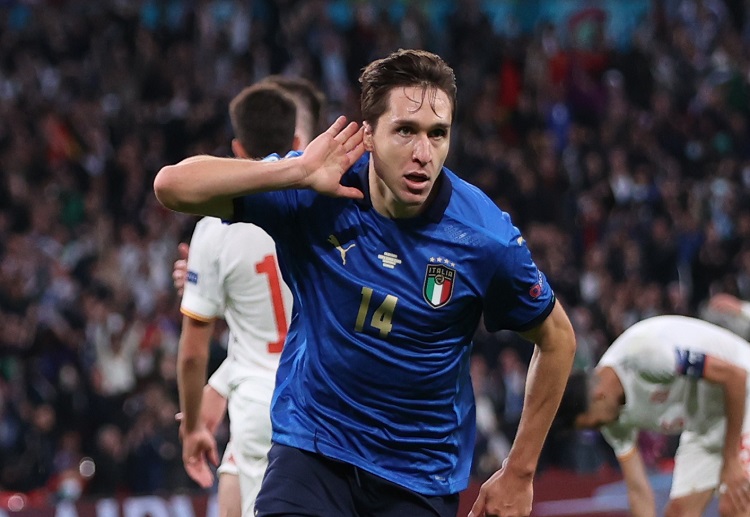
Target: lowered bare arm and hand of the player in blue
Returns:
[510, 488]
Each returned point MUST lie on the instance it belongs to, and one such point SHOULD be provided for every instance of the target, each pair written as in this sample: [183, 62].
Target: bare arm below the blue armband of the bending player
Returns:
[732, 379]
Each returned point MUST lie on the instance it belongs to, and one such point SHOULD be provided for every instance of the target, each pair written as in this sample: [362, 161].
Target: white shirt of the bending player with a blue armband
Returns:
[660, 363]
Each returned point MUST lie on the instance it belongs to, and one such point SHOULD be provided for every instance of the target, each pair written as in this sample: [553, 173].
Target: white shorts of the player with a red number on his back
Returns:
[250, 429]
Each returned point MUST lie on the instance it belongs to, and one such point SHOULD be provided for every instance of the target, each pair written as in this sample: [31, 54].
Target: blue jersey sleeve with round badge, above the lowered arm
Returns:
[519, 296]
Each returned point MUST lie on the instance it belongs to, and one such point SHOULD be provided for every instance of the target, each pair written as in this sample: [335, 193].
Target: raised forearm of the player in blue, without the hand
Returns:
[206, 185]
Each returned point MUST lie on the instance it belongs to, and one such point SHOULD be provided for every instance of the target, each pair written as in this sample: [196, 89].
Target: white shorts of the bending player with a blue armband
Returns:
[699, 459]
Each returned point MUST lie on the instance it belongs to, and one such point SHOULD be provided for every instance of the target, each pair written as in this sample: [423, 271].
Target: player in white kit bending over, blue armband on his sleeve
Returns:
[673, 374]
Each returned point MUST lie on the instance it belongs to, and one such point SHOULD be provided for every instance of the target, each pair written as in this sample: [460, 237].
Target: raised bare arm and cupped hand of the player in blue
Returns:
[207, 184]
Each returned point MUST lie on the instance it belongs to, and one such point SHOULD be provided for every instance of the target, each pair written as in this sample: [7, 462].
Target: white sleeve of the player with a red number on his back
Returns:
[203, 299]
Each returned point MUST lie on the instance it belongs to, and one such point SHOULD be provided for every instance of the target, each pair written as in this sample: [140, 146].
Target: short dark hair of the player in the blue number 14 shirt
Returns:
[404, 68]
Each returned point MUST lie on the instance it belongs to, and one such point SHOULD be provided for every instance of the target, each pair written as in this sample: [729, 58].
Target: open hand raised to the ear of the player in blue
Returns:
[329, 156]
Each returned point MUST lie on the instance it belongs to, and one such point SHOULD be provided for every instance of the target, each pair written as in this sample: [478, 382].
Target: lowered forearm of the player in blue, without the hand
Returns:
[548, 373]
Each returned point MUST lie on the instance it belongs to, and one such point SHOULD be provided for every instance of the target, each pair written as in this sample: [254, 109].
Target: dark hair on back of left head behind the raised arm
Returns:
[263, 119]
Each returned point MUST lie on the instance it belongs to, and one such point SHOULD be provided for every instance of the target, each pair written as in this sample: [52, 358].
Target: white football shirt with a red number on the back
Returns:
[233, 273]
